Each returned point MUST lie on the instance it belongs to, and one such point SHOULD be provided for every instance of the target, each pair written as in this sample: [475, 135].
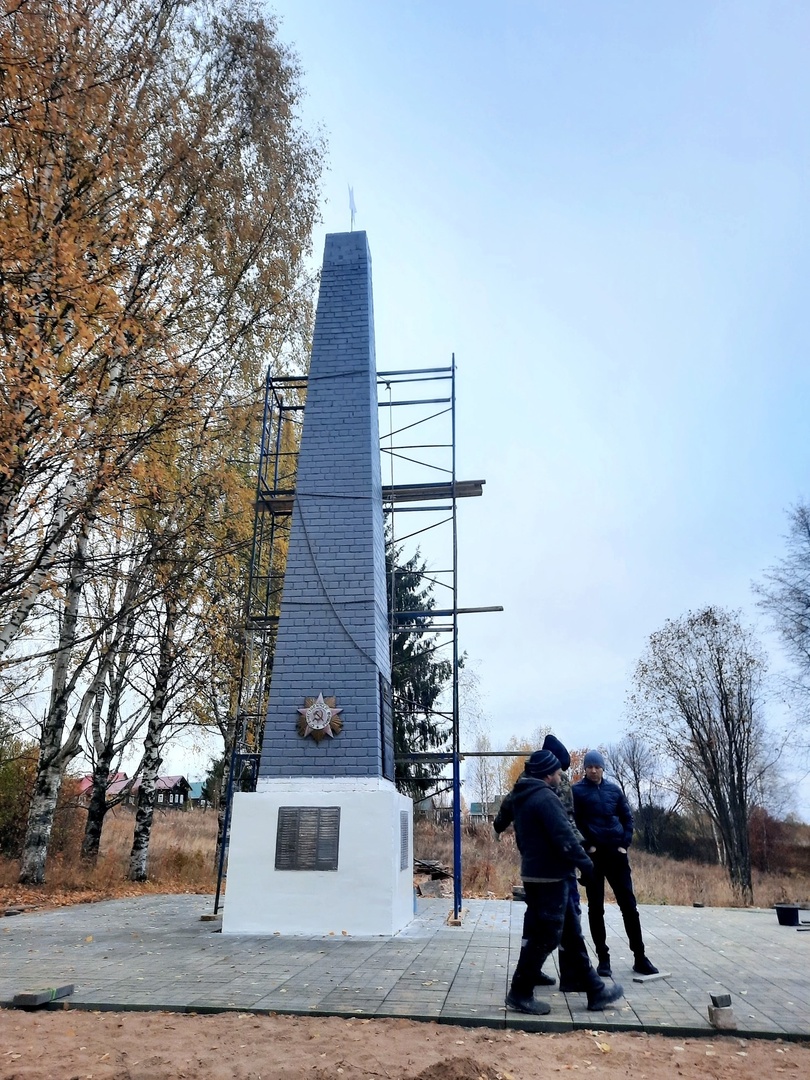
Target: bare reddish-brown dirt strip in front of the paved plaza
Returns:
[103, 1046]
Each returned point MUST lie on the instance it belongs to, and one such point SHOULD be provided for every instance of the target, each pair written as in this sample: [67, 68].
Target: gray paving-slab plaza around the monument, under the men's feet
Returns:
[157, 953]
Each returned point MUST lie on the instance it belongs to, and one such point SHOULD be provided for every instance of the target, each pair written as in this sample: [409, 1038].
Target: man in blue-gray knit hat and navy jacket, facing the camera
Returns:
[605, 821]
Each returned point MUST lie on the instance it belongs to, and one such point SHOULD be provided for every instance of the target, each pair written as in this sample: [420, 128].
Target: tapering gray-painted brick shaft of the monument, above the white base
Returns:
[333, 631]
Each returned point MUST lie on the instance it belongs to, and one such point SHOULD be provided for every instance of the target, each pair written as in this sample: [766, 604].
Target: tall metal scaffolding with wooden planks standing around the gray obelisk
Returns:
[417, 445]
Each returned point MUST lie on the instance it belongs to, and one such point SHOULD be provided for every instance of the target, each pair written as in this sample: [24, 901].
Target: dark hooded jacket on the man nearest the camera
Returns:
[549, 847]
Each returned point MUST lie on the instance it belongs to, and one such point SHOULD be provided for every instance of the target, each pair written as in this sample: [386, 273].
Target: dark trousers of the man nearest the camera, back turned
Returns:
[549, 924]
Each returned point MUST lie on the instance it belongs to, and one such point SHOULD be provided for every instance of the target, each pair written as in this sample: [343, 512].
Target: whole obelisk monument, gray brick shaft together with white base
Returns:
[325, 845]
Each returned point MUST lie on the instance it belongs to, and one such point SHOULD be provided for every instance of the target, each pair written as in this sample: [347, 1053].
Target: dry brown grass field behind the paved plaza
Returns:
[182, 860]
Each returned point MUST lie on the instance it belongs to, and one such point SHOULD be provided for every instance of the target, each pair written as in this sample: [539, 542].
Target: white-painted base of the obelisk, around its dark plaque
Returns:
[371, 894]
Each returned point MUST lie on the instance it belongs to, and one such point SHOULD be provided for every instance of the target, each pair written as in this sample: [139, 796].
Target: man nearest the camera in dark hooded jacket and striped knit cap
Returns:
[549, 854]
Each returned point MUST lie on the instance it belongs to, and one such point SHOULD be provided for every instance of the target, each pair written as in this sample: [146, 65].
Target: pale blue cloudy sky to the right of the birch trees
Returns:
[601, 209]
